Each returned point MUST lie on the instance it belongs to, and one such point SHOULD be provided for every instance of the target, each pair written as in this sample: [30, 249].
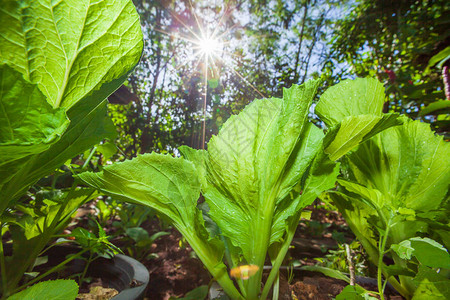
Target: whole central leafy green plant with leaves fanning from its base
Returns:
[264, 166]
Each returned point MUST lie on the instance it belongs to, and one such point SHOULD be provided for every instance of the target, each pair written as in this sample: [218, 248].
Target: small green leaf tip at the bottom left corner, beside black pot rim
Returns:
[51, 290]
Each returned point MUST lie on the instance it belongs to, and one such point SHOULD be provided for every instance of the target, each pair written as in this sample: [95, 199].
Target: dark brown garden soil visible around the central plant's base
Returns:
[175, 270]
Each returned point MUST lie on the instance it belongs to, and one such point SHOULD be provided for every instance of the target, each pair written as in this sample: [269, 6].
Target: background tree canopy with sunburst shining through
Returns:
[268, 45]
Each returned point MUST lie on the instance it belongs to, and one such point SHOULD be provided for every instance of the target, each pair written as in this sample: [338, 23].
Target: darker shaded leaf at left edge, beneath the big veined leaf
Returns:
[28, 124]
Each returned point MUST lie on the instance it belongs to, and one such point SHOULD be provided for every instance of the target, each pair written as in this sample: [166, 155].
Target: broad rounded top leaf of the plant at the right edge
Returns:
[408, 164]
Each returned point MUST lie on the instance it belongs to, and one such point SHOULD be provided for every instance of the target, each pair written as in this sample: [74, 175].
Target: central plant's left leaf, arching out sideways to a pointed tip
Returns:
[170, 186]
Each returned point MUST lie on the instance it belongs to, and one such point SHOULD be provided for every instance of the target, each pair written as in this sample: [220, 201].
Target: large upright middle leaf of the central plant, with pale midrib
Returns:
[254, 163]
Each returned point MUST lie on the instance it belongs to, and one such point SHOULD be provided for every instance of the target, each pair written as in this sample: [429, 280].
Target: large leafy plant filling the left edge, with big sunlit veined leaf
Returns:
[58, 63]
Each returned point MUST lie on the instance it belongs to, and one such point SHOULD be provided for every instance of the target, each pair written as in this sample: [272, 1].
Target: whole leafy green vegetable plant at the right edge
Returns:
[394, 189]
